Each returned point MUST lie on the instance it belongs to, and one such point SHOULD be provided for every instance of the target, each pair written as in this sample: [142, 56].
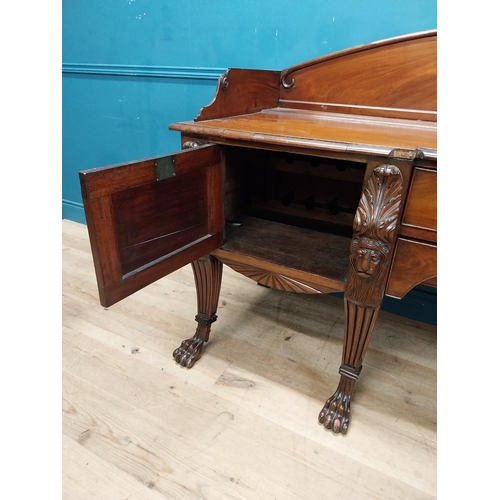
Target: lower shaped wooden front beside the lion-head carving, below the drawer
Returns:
[413, 263]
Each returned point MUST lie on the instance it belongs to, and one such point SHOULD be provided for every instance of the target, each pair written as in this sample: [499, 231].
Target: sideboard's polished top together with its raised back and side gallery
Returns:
[366, 100]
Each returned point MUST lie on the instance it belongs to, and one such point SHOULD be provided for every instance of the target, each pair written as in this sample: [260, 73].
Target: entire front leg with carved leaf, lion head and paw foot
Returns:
[374, 232]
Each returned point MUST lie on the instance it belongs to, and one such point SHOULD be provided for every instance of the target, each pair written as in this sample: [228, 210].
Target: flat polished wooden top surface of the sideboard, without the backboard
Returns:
[321, 131]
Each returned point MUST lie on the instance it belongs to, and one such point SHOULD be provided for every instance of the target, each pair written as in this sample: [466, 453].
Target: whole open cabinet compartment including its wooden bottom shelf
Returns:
[291, 209]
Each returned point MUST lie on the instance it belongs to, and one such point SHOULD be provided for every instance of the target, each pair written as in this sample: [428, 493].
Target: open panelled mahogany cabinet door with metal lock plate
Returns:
[147, 219]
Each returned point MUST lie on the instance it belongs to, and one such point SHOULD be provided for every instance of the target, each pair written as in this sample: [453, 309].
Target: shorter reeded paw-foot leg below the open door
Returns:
[208, 276]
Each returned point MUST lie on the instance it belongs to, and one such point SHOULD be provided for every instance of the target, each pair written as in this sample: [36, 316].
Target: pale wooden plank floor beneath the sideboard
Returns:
[242, 423]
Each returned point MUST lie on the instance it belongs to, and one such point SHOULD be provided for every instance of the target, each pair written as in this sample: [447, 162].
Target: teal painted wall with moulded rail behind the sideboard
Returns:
[132, 67]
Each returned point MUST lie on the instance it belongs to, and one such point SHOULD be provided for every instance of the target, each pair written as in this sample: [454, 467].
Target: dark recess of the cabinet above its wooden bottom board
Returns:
[311, 192]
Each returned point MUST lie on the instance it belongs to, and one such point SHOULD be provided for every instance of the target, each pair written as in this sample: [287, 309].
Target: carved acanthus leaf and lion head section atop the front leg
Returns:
[374, 231]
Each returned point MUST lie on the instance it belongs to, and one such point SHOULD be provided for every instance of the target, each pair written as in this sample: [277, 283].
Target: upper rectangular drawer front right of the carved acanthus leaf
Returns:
[421, 207]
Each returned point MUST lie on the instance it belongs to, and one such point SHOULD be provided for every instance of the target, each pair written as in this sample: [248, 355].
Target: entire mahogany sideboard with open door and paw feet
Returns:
[317, 179]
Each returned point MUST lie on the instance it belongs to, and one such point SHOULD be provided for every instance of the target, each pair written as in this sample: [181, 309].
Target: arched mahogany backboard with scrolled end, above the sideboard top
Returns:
[387, 78]
